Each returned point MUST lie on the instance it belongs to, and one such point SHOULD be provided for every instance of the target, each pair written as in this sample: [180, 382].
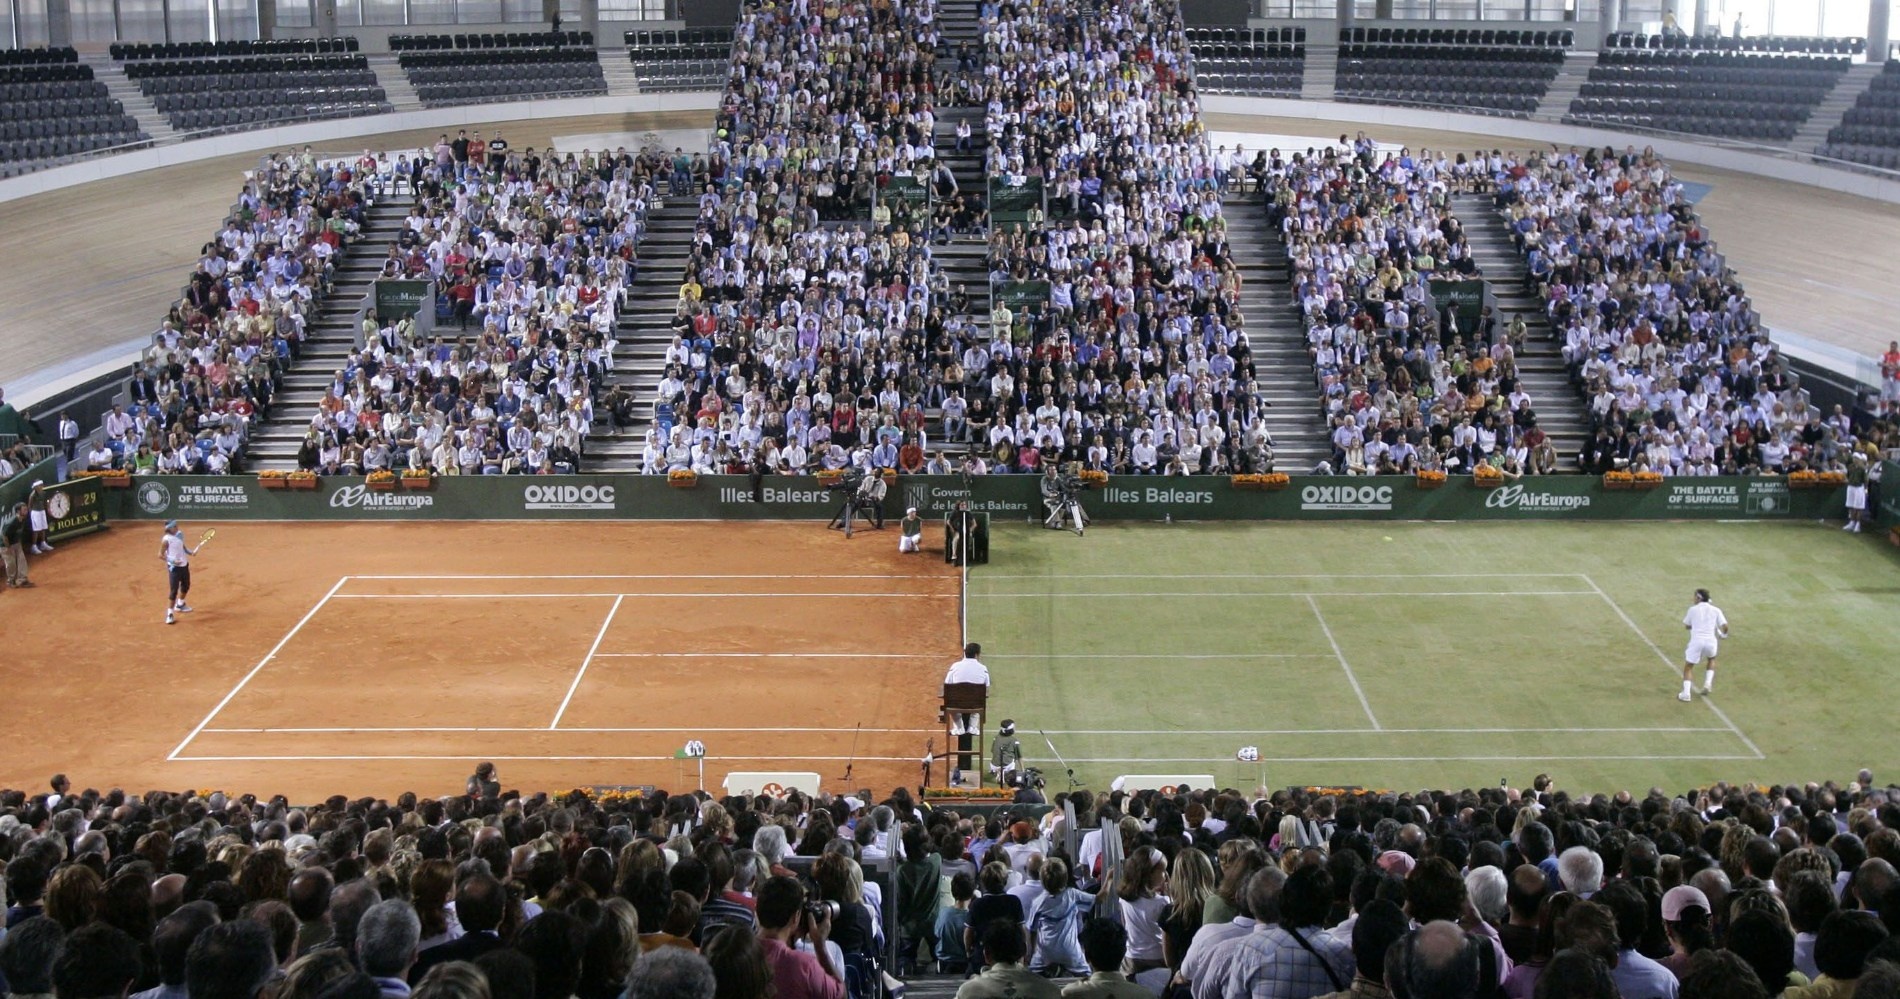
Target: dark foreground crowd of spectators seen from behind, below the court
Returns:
[1722, 894]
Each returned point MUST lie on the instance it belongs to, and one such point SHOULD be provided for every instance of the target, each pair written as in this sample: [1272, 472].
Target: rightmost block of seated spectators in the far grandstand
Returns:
[1677, 368]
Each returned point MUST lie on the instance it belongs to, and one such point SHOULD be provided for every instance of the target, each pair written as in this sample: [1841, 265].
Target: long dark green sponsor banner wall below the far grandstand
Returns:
[1002, 497]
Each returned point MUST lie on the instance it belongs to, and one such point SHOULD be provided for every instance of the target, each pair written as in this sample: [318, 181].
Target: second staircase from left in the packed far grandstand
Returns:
[645, 333]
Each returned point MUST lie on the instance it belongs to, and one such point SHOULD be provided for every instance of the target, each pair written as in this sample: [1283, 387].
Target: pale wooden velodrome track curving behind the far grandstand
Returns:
[92, 267]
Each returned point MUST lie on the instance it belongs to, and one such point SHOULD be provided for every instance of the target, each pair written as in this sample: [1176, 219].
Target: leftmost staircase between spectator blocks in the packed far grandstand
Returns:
[328, 345]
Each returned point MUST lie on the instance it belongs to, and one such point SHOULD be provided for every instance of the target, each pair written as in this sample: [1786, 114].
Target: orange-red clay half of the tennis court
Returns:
[383, 658]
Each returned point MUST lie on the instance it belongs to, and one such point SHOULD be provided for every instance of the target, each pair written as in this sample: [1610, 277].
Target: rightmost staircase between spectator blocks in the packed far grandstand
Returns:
[1559, 404]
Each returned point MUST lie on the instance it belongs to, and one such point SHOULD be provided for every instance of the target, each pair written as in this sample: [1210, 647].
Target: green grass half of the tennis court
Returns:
[1441, 656]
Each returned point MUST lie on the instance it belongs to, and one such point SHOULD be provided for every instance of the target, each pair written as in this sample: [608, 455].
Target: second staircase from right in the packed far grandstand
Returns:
[1276, 337]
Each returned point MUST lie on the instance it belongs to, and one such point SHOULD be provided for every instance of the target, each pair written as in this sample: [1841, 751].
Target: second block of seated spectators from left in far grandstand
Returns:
[535, 254]
